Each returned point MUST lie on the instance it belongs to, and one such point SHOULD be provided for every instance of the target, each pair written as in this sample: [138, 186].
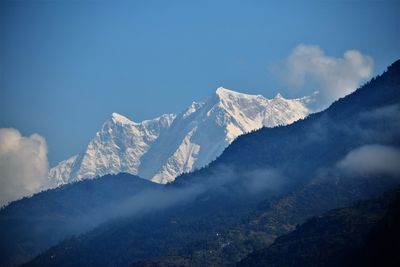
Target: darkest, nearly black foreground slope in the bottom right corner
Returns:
[365, 234]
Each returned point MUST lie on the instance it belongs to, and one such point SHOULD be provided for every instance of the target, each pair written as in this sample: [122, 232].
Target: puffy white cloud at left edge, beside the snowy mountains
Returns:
[23, 165]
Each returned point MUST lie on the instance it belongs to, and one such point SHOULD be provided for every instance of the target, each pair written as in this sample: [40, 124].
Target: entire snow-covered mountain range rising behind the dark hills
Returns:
[167, 146]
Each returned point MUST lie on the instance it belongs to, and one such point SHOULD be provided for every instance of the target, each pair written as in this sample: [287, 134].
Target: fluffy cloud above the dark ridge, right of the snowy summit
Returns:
[309, 67]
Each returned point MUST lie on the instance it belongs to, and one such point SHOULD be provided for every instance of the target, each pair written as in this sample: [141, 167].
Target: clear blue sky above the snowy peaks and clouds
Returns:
[65, 66]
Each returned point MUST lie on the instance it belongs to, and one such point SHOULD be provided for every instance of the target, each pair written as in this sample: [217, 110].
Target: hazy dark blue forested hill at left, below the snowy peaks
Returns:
[30, 225]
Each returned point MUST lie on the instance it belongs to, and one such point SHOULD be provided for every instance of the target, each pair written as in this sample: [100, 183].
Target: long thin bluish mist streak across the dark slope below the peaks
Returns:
[259, 181]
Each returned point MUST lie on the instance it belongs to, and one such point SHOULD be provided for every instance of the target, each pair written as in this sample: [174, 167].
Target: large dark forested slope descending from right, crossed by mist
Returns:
[262, 186]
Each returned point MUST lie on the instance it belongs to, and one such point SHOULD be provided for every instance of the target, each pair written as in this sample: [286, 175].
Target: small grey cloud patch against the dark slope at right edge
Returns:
[370, 160]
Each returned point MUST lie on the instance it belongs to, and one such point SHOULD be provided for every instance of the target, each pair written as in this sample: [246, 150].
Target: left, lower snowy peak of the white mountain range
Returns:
[117, 147]
